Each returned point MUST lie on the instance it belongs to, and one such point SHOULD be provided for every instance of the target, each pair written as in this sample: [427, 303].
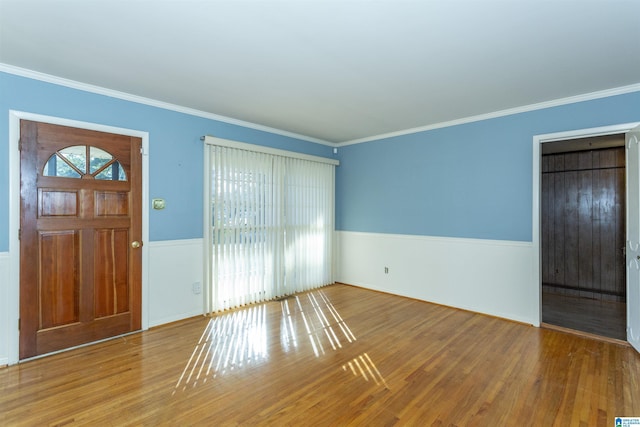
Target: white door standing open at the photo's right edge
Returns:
[633, 238]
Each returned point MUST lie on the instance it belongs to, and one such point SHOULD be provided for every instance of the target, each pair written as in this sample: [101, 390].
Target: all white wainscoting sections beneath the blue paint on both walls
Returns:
[485, 276]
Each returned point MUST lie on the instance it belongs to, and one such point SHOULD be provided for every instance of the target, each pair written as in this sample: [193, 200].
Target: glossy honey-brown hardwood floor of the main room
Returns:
[332, 357]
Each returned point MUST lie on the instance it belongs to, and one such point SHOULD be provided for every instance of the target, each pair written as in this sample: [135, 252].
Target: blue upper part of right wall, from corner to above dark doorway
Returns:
[472, 180]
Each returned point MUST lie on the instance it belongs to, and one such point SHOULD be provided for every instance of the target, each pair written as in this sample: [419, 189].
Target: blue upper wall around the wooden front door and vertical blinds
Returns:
[175, 149]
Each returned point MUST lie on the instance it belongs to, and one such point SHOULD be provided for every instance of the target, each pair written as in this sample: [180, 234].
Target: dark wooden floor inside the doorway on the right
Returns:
[605, 318]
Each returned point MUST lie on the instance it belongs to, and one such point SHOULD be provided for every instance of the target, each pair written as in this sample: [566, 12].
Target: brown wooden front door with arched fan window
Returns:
[80, 236]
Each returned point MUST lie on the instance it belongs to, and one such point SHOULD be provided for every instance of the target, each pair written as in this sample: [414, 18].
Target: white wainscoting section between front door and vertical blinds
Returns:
[174, 266]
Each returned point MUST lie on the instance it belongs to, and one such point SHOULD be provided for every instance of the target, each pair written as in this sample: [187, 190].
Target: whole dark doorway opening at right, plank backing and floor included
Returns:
[582, 229]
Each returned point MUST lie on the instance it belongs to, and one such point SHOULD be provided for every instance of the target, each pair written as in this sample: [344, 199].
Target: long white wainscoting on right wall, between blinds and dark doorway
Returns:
[485, 276]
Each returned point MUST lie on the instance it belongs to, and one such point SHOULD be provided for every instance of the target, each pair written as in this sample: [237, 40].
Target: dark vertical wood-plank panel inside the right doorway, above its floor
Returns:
[583, 223]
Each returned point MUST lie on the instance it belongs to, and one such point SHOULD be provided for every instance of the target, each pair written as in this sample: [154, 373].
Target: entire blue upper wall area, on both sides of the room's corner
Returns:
[471, 180]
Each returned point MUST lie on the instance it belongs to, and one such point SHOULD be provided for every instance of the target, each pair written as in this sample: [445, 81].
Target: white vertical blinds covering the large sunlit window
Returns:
[269, 221]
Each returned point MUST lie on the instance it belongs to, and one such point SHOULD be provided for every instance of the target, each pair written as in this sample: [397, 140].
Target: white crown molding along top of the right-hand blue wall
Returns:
[523, 109]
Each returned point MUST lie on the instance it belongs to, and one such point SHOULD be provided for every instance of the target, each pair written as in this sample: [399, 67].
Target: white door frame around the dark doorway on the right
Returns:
[538, 140]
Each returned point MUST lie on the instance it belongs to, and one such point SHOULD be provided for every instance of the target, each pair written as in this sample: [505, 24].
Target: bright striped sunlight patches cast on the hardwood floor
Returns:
[240, 339]
